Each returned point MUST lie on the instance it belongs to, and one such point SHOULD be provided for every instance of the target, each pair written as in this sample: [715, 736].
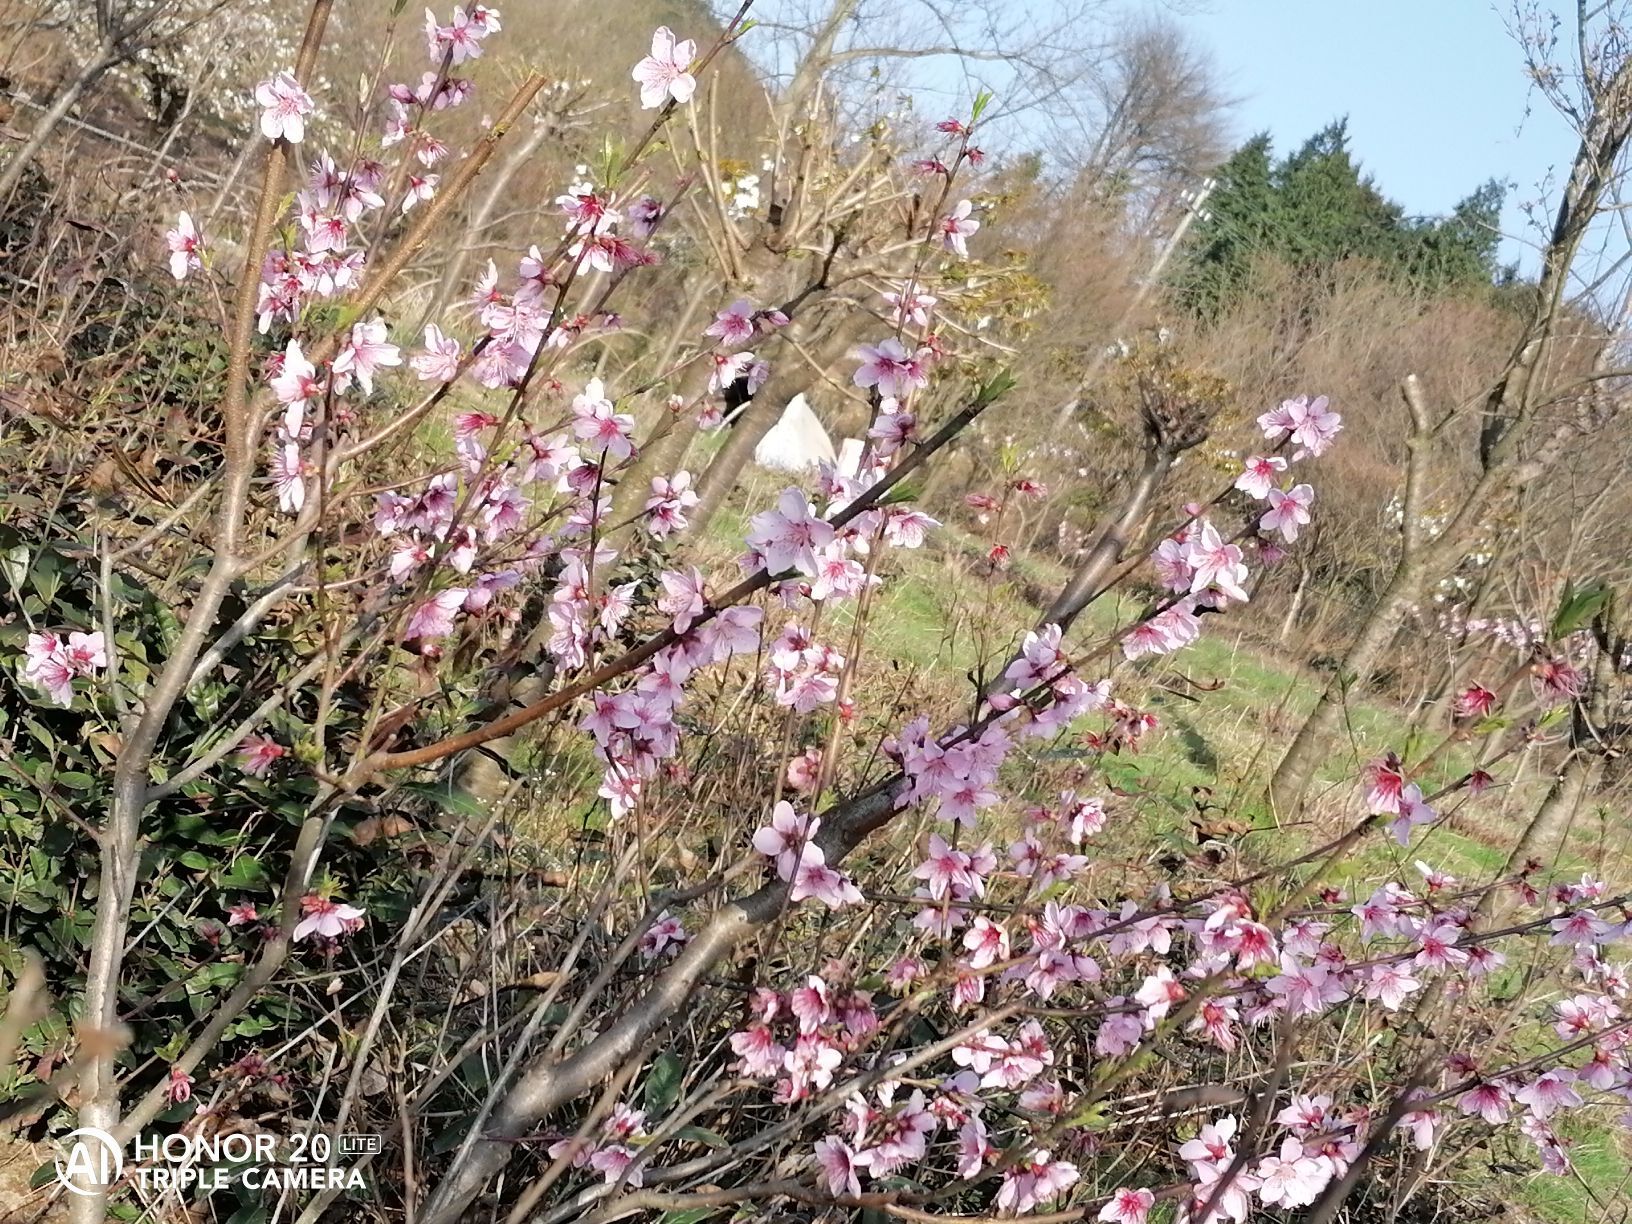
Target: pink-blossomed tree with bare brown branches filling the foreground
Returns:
[915, 969]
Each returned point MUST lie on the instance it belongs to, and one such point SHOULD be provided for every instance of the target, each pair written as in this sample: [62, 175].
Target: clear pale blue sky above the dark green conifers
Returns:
[1435, 94]
